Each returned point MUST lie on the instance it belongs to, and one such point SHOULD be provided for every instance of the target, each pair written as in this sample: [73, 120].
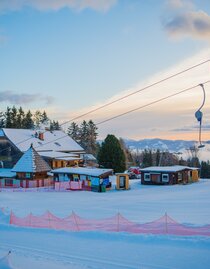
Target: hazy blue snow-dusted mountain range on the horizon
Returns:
[180, 146]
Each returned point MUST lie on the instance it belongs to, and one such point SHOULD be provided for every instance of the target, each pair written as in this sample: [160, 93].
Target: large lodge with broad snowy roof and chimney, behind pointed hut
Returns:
[57, 148]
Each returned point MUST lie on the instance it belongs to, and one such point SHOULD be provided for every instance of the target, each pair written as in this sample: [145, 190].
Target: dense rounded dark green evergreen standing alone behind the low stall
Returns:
[111, 154]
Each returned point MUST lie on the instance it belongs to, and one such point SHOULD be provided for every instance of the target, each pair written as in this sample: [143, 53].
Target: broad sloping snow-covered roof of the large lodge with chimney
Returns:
[56, 140]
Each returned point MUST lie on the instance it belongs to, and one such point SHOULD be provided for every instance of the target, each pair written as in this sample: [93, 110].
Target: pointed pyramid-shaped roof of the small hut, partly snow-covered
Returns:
[31, 162]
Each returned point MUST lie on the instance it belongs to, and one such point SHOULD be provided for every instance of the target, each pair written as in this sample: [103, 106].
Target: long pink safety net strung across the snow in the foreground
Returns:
[117, 223]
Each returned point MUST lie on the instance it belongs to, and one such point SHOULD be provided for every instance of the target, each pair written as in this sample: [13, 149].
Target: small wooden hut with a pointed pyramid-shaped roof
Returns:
[31, 170]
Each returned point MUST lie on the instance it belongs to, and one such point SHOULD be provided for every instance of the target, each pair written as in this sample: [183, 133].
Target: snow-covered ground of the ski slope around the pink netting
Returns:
[45, 248]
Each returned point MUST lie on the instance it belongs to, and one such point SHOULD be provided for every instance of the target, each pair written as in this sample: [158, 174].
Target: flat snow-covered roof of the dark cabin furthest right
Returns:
[174, 168]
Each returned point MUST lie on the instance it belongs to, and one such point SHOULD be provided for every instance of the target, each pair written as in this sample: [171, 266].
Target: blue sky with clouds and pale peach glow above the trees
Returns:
[71, 56]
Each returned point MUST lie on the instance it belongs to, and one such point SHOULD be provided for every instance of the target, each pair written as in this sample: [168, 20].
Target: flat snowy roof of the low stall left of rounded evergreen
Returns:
[96, 172]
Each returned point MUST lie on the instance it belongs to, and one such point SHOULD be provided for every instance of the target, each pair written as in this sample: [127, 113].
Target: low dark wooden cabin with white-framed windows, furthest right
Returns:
[168, 175]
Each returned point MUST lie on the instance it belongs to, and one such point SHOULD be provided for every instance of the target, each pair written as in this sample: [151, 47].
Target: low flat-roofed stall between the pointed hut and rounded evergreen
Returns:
[81, 178]
